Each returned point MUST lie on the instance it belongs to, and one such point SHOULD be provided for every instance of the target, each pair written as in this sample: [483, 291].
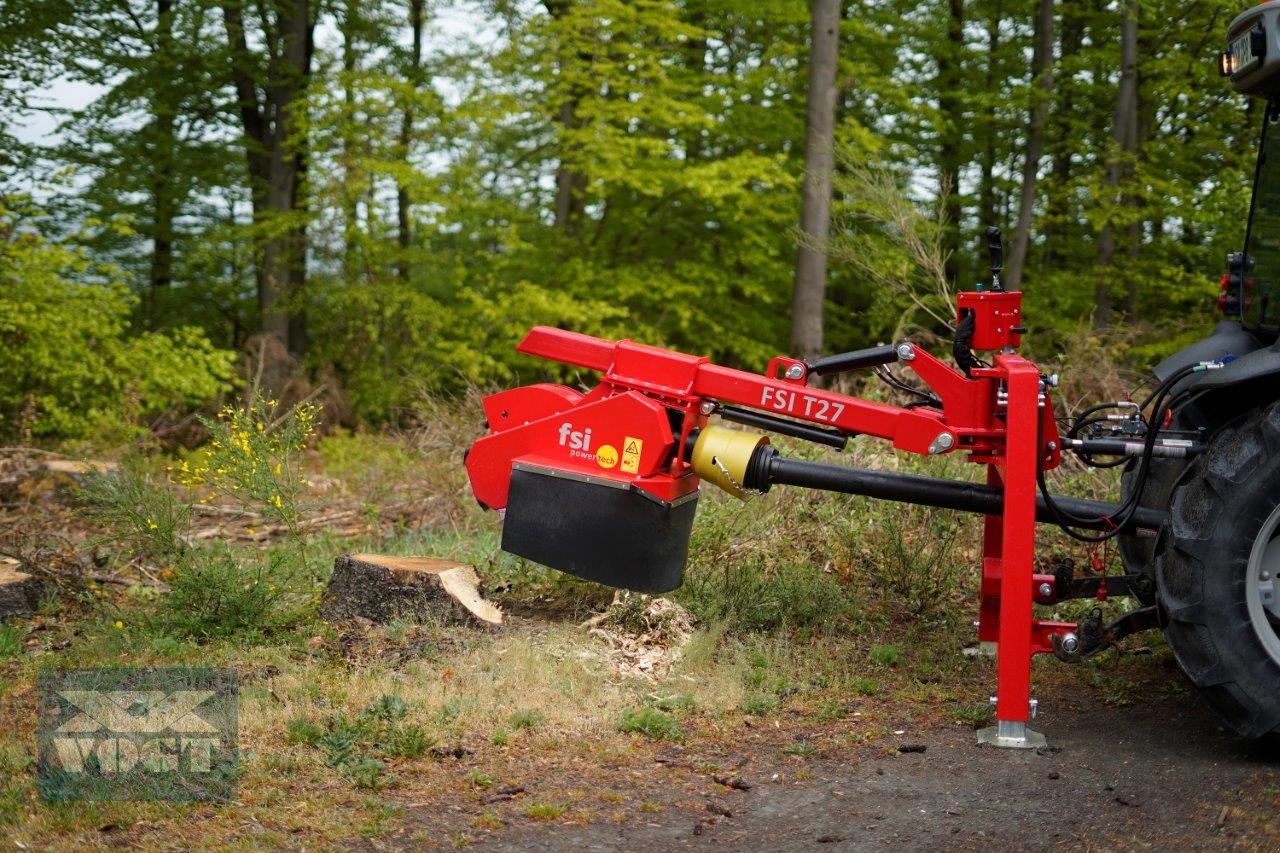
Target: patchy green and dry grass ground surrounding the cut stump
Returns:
[812, 609]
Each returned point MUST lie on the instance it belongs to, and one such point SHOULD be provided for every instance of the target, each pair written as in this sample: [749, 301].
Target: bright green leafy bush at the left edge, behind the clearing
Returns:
[71, 368]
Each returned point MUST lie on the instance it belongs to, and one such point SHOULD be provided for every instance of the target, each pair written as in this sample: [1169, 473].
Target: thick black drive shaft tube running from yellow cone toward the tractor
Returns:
[771, 469]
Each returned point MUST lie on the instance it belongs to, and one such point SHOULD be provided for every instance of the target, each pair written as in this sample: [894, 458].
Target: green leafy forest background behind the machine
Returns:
[371, 202]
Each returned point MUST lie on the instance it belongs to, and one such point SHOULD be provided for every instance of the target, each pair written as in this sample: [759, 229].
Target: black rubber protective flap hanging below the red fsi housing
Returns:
[614, 536]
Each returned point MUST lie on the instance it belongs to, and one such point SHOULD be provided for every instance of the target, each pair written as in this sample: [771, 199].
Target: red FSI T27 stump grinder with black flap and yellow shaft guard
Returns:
[593, 481]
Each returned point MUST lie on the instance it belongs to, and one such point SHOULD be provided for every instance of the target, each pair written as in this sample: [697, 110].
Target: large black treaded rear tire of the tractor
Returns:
[1214, 562]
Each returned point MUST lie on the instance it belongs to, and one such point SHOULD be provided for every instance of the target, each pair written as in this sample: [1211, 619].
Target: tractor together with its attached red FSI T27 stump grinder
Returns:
[605, 483]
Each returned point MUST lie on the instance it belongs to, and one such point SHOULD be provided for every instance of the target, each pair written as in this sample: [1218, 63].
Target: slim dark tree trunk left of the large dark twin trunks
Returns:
[164, 122]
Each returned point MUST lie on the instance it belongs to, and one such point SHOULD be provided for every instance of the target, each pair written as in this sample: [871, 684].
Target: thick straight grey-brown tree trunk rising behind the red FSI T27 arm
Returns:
[820, 157]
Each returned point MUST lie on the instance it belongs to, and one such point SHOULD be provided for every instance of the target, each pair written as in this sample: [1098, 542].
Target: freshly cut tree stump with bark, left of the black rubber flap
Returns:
[382, 589]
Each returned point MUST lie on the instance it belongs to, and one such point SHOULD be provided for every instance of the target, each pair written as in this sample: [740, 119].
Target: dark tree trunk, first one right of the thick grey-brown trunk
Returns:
[952, 134]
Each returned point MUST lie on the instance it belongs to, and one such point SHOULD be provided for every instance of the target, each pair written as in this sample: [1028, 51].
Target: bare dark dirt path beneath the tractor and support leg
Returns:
[1160, 776]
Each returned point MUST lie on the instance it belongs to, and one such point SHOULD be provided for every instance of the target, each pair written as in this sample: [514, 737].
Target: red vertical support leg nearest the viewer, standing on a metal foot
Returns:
[1017, 555]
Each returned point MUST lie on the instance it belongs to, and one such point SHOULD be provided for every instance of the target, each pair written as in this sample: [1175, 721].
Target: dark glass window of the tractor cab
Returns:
[1263, 240]
